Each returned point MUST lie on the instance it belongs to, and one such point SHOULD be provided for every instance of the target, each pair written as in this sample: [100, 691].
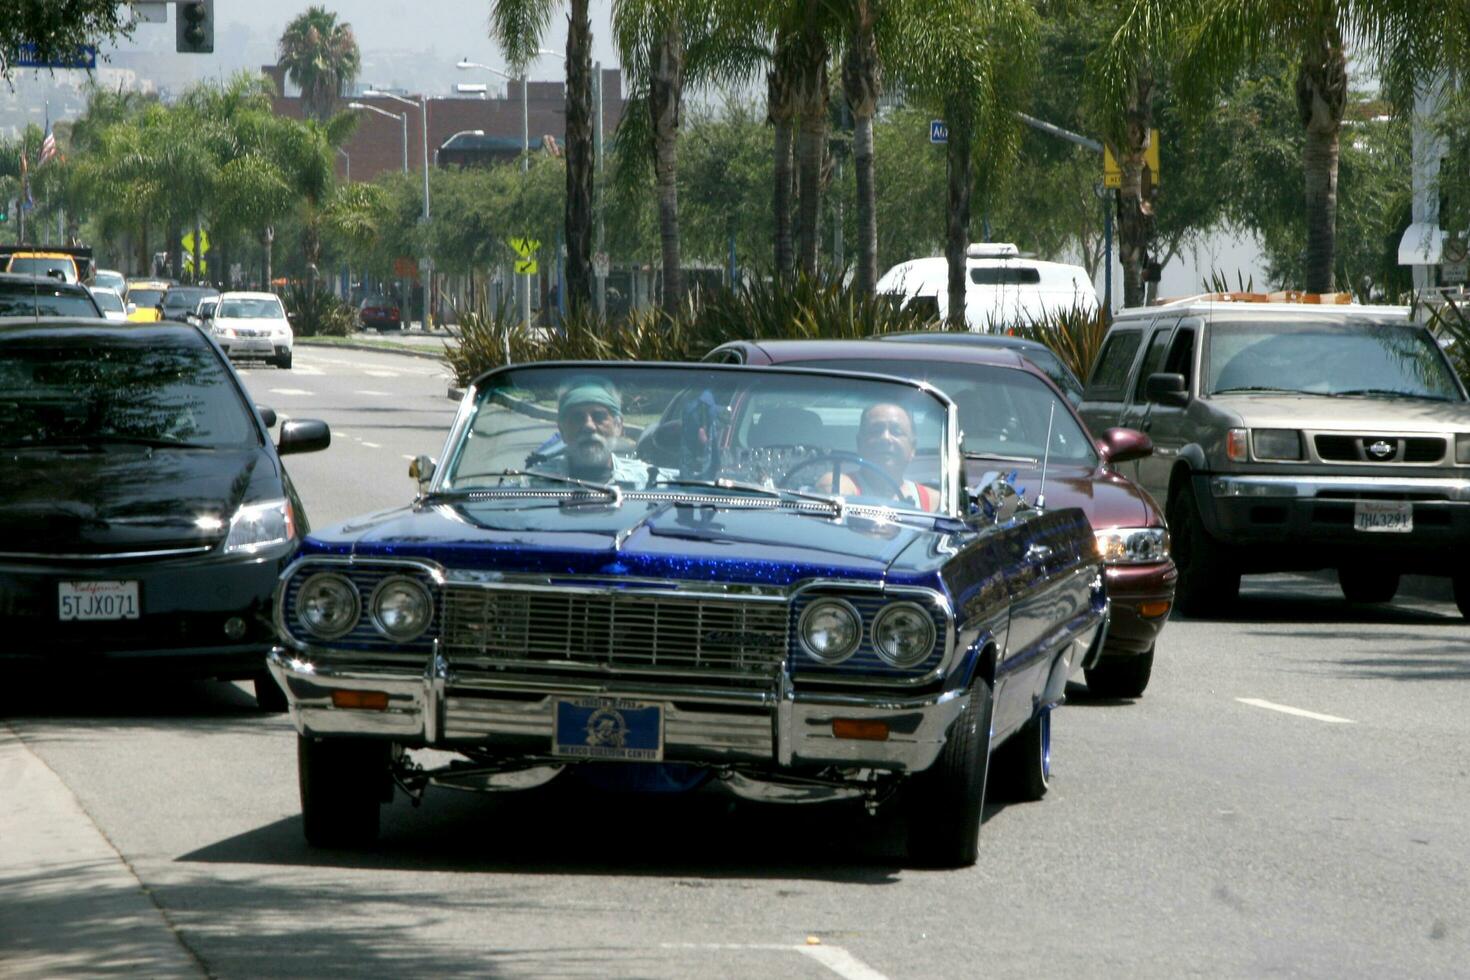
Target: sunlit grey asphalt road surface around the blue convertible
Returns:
[1290, 799]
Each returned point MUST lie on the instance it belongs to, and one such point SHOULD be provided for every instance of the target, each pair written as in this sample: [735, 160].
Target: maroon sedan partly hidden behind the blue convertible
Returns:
[1008, 406]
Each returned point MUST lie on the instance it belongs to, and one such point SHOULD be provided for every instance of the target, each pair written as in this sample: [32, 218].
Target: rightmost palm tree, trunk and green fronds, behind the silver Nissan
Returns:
[1397, 37]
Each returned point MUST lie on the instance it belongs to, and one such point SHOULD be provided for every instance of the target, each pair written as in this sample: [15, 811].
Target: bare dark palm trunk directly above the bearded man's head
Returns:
[580, 164]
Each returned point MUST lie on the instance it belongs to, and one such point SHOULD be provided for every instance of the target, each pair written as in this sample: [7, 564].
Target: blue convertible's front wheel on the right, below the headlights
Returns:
[947, 800]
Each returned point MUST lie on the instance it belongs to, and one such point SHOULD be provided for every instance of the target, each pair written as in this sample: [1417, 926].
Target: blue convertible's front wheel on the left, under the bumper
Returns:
[343, 784]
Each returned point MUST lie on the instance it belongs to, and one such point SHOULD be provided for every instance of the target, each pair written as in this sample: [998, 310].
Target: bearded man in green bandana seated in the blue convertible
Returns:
[590, 418]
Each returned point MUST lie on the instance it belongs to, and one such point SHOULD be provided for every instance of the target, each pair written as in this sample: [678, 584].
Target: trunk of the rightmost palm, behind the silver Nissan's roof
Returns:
[1322, 92]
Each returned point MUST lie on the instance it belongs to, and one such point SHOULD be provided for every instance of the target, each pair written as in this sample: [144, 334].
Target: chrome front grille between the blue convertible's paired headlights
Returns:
[614, 630]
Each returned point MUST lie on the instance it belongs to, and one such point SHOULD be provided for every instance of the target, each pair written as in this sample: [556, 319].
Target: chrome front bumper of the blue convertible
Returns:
[433, 706]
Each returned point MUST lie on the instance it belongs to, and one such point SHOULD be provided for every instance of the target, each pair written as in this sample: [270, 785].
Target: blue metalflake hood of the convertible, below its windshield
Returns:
[758, 544]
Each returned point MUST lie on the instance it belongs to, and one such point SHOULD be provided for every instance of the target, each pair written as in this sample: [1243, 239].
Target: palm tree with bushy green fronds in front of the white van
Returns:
[975, 64]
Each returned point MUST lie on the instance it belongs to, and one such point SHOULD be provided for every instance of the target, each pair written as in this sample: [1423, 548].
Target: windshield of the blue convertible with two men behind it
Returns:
[756, 434]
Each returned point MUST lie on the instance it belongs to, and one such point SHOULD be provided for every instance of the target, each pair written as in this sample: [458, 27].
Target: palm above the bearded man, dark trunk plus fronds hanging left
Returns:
[518, 27]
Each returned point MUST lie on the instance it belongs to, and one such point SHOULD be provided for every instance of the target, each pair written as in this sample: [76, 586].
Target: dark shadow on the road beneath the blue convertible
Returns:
[580, 831]
